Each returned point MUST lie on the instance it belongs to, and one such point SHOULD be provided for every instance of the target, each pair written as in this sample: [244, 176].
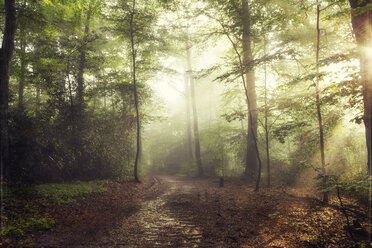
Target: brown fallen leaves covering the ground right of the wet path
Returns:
[235, 216]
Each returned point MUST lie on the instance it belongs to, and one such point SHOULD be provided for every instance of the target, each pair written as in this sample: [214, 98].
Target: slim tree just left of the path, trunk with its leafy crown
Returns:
[134, 22]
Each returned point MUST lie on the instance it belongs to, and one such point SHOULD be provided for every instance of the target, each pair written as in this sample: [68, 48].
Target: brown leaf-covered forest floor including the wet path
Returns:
[165, 211]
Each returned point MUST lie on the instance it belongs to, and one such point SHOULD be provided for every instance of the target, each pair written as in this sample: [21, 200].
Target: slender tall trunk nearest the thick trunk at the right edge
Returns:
[318, 107]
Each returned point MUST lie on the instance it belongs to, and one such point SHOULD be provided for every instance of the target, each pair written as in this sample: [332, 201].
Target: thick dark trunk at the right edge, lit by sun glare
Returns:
[362, 25]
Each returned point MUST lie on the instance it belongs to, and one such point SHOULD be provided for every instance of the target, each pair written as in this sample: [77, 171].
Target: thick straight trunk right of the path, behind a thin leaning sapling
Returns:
[251, 156]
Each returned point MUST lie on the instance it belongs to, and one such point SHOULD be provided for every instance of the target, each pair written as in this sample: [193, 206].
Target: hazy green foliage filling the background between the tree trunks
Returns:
[64, 47]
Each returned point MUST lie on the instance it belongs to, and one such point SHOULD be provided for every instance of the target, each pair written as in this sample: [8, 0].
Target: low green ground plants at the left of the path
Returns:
[23, 205]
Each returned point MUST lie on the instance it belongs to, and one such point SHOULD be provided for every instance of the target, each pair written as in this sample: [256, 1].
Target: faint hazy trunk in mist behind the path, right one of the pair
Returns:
[194, 110]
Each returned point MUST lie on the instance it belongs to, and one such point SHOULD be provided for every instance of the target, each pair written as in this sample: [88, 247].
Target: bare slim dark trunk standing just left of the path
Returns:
[135, 92]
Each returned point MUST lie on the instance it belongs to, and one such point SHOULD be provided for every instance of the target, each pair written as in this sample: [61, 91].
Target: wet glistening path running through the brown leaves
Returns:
[154, 225]
